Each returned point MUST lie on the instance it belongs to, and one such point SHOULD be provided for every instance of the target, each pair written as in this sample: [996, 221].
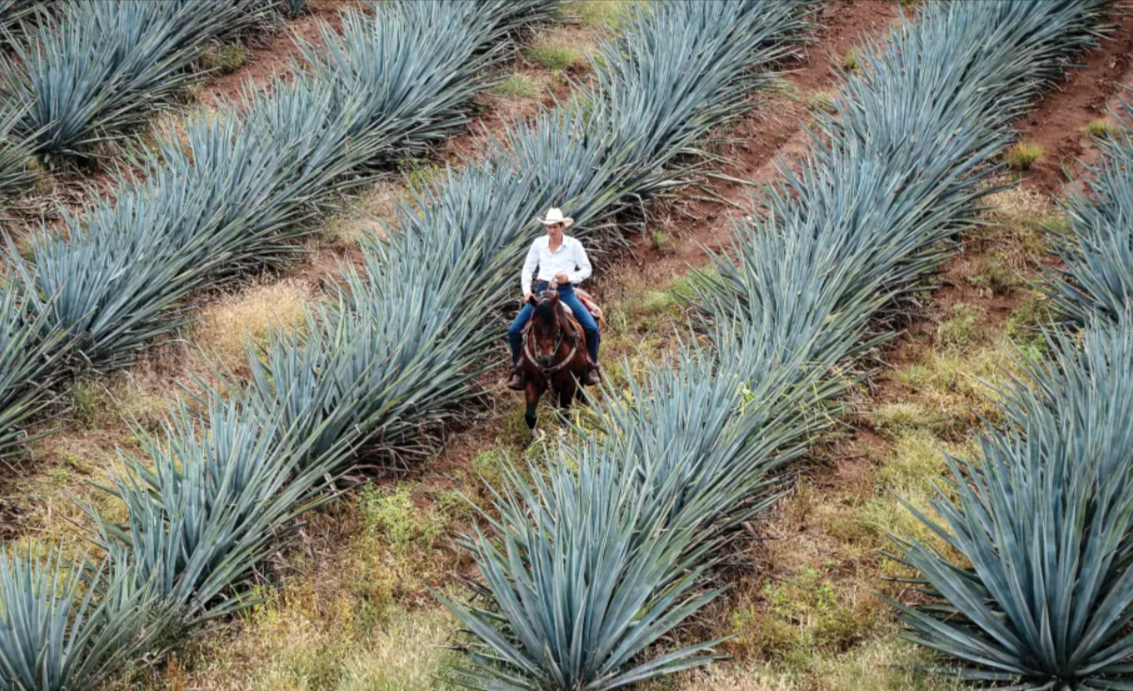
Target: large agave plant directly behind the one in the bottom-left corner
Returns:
[210, 505]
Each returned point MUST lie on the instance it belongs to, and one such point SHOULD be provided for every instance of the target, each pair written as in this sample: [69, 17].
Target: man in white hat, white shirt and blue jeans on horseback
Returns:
[563, 265]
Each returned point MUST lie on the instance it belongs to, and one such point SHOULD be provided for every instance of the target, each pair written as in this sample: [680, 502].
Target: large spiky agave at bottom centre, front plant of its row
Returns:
[574, 579]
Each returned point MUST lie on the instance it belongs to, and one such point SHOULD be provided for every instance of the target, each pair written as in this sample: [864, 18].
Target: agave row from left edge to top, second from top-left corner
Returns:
[237, 189]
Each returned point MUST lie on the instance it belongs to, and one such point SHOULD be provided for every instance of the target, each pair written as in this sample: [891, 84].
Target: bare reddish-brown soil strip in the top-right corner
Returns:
[1057, 124]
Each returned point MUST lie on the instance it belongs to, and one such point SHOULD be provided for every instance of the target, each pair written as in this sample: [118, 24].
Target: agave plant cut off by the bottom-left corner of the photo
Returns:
[71, 625]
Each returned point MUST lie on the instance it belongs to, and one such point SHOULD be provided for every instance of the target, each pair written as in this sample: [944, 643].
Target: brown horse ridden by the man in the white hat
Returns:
[555, 356]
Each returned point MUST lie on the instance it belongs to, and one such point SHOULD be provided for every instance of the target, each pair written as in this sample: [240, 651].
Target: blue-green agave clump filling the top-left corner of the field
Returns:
[97, 69]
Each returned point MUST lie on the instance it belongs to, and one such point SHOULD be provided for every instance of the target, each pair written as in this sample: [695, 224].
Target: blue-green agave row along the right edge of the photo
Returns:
[1037, 587]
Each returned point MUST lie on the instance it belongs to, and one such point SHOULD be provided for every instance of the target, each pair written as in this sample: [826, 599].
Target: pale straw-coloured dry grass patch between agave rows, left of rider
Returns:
[229, 327]
